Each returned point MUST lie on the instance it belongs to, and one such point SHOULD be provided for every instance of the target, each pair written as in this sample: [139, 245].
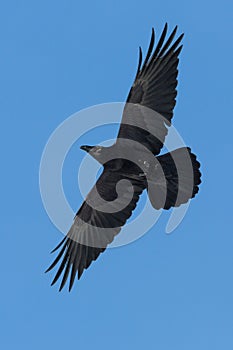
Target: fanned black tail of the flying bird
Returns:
[175, 180]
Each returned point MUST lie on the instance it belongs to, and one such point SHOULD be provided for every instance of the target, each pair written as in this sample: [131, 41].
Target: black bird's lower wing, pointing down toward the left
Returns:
[99, 219]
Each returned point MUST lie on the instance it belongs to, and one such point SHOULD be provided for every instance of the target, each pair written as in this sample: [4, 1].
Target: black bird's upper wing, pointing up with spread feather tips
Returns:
[151, 100]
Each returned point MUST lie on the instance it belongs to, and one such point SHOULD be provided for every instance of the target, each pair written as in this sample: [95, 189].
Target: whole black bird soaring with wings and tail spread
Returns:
[132, 164]
